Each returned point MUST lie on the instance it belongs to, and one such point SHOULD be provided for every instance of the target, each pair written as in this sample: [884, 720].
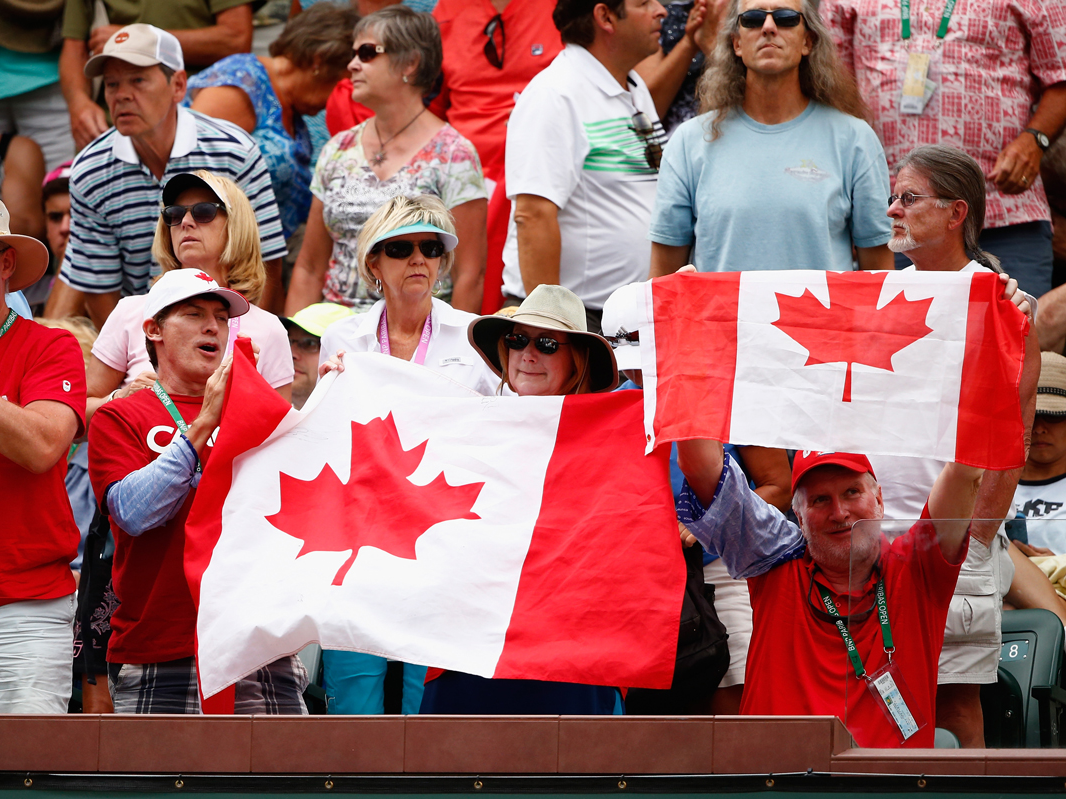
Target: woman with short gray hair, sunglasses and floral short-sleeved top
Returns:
[403, 150]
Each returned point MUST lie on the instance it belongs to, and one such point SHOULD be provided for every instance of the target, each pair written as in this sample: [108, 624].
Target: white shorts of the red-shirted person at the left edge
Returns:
[37, 656]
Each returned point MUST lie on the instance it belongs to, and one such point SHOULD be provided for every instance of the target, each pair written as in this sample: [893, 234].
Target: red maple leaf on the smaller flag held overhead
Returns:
[853, 330]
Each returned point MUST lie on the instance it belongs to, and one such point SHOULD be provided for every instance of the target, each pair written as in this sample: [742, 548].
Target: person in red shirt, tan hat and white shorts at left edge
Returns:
[42, 406]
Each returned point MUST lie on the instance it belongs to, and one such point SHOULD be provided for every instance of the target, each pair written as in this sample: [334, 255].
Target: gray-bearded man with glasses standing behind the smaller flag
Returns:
[938, 215]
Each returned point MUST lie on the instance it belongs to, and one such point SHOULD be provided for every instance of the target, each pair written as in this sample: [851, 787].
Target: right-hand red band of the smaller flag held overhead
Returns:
[990, 418]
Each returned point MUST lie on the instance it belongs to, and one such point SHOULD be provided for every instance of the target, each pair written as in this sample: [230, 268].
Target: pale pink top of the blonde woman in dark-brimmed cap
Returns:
[121, 344]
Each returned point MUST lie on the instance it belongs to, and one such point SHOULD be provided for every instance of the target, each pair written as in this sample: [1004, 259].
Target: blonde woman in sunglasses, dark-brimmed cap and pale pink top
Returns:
[208, 224]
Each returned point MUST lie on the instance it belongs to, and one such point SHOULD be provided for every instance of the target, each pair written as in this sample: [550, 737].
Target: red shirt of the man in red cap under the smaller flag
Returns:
[798, 664]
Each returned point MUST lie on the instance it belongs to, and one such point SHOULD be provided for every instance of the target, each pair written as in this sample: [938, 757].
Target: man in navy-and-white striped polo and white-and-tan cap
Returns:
[117, 182]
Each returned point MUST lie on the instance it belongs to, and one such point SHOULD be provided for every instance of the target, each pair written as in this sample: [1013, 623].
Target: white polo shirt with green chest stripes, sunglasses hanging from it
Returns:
[571, 141]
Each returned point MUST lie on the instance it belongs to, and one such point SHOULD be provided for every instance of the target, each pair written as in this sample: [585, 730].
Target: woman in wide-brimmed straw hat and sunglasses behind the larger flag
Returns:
[545, 349]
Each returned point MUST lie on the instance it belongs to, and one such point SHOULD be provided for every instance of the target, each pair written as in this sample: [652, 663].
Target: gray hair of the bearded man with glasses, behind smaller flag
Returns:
[954, 175]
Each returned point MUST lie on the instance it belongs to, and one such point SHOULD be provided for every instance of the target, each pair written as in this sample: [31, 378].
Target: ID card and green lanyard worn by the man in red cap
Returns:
[886, 686]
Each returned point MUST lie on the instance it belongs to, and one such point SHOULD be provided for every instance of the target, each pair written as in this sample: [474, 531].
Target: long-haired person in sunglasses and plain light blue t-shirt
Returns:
[781, 171]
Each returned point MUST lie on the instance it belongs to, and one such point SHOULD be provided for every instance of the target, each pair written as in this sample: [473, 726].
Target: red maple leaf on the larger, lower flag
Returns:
[378, 507]
